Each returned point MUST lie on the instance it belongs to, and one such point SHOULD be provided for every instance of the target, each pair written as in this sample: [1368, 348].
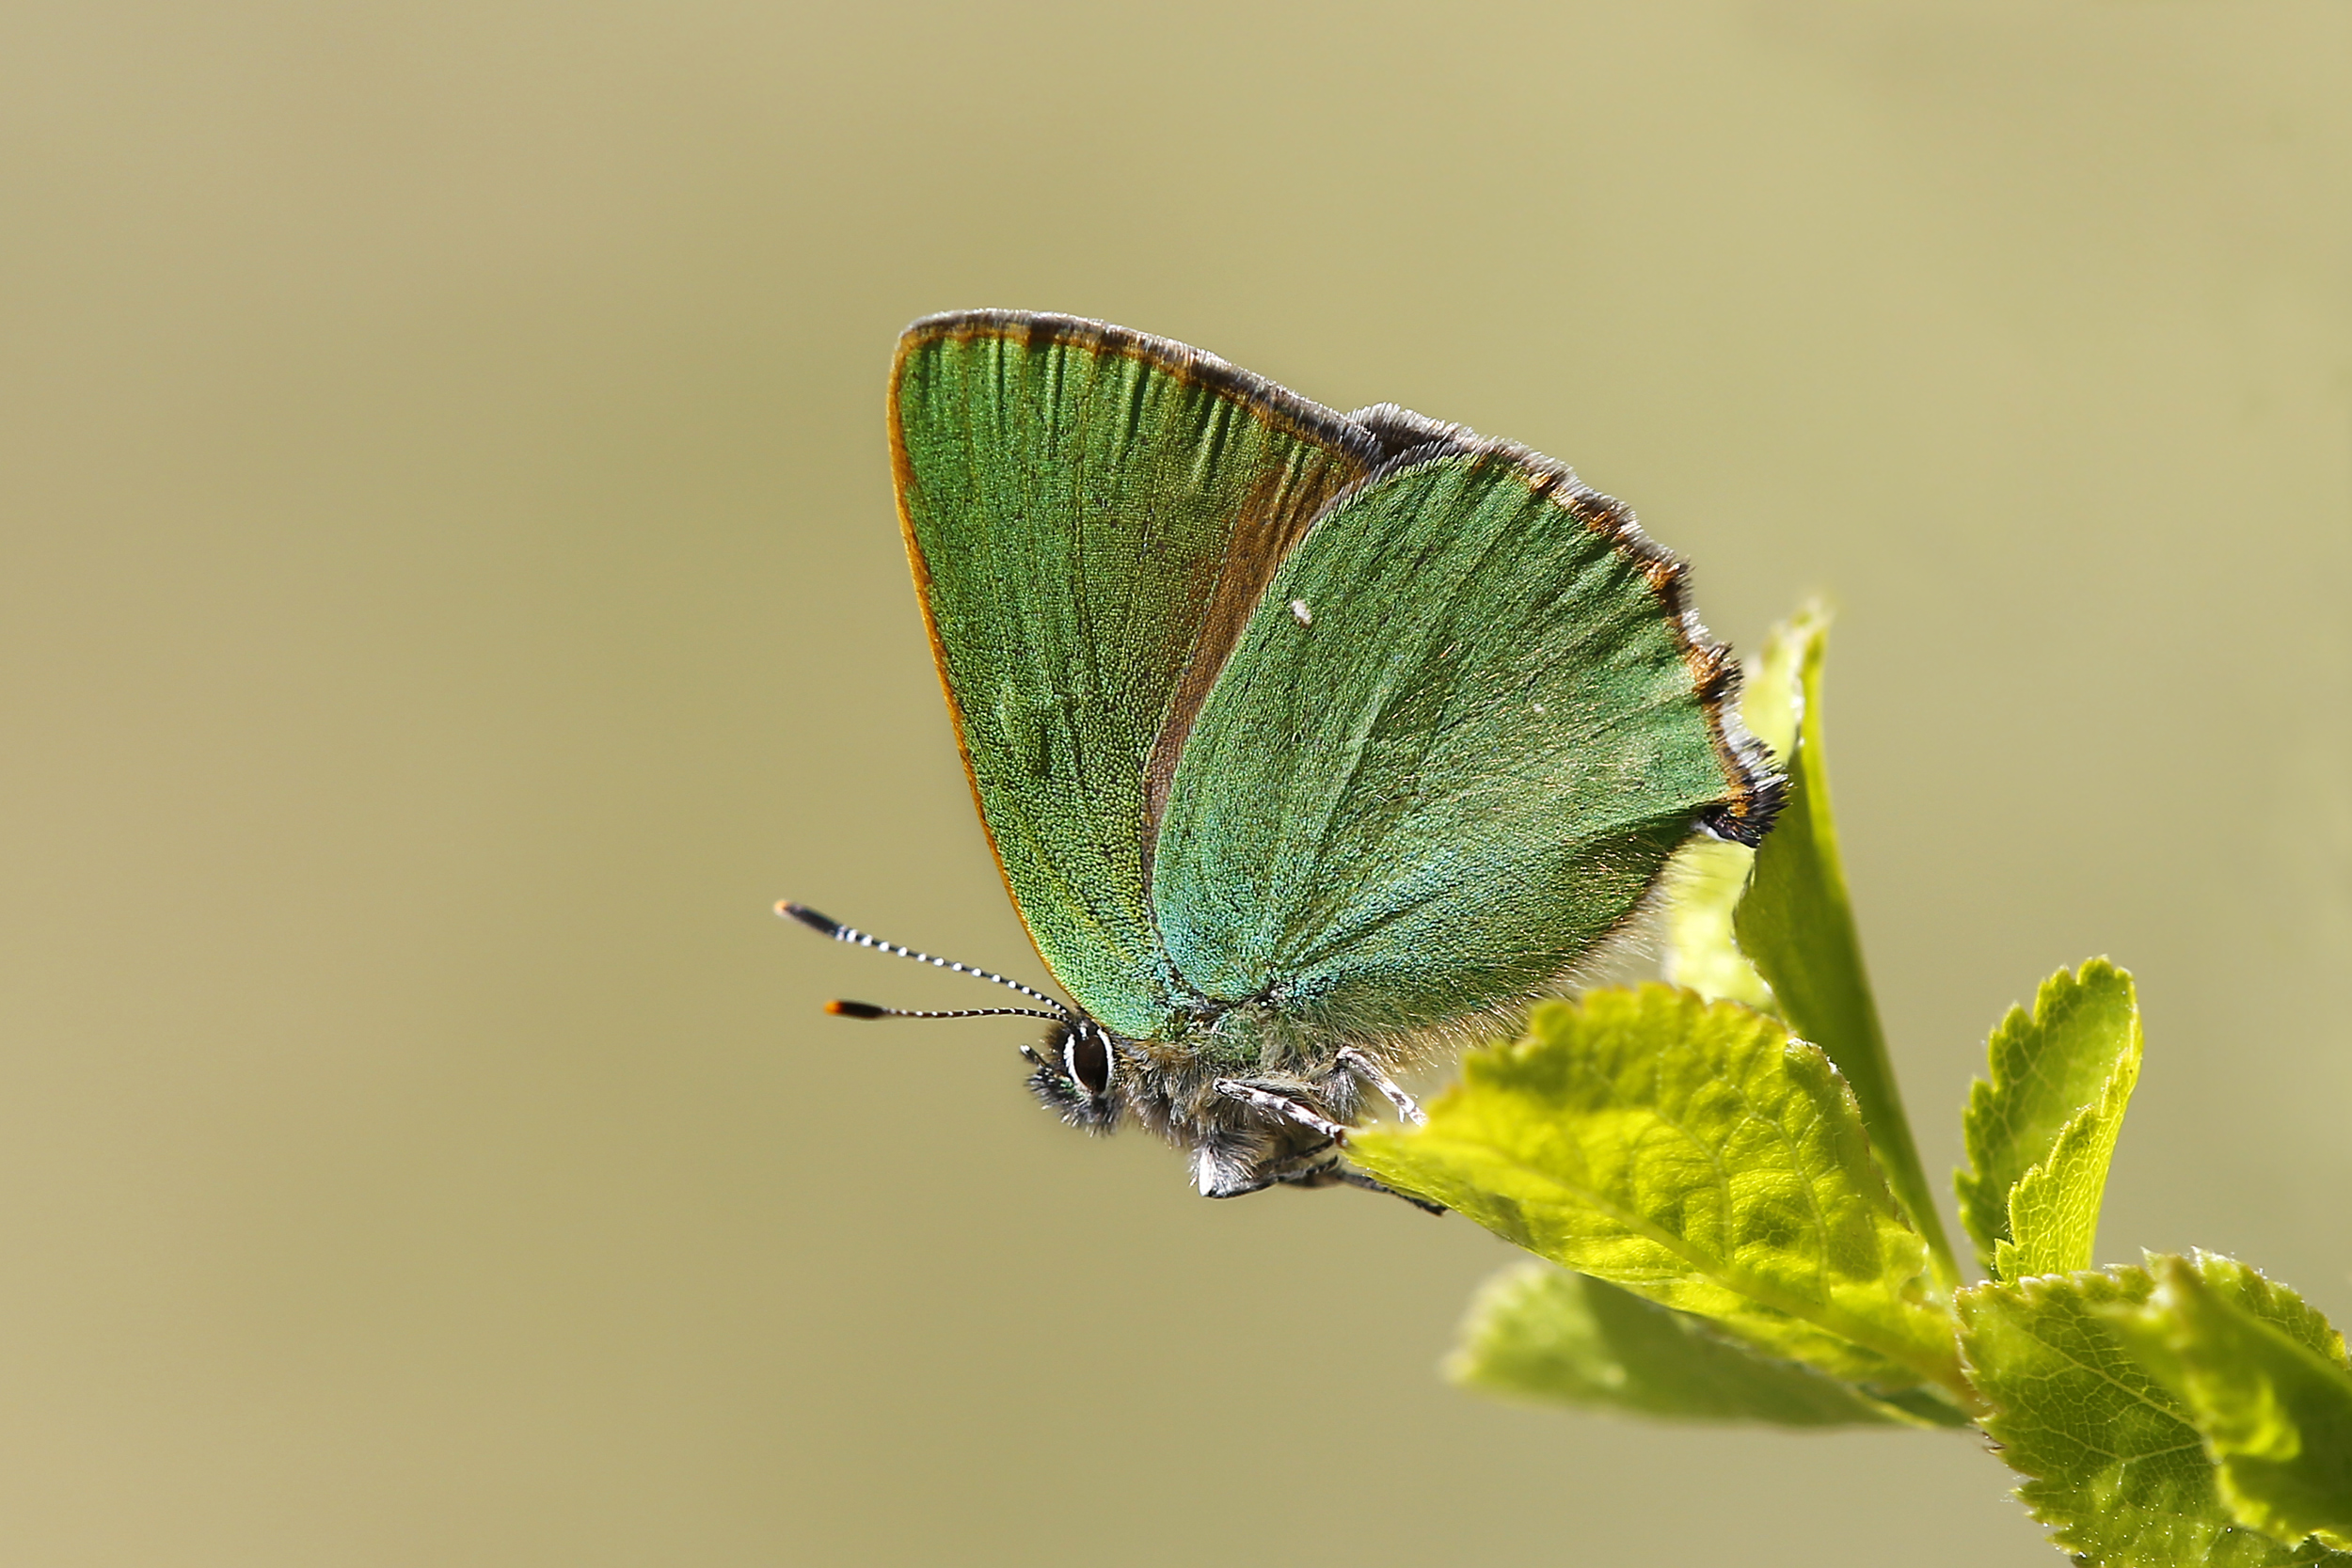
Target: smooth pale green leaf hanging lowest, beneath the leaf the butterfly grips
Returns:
[1568, 1339]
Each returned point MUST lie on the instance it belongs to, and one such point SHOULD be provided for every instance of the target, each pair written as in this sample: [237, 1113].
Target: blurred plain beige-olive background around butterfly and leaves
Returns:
[450, 591]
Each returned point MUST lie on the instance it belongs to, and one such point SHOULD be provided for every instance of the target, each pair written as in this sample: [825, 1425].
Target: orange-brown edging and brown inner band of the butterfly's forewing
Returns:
[1264, 535]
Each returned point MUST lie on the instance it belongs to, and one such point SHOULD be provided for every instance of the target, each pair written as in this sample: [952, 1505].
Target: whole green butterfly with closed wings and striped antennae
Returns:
[1307, 742]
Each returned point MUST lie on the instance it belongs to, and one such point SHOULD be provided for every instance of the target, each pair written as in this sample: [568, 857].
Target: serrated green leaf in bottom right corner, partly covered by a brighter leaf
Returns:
[2111, 1456]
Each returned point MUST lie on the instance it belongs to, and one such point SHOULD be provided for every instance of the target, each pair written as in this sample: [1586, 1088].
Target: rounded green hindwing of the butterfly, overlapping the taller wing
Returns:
[1448, 758]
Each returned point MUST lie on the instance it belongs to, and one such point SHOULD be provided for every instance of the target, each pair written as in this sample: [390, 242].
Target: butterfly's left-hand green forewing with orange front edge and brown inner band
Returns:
[1093, 516]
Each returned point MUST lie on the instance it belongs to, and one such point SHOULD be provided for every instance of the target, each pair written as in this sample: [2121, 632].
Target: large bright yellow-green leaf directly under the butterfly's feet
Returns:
[1695, 1155]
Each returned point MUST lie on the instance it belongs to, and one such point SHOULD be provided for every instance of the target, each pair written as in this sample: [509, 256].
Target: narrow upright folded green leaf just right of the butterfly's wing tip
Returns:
[1796, 925]
